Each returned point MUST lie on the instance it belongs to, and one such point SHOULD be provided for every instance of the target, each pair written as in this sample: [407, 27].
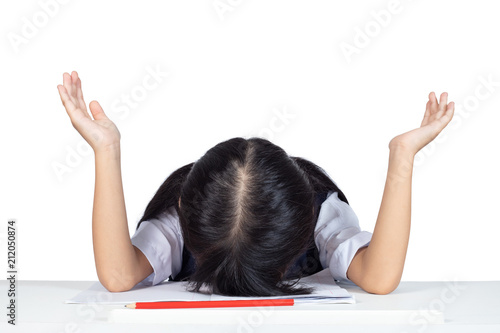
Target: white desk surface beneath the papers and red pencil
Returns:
[465, 306]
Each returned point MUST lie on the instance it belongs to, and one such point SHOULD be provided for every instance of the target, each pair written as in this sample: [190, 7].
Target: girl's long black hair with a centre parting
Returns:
[246, 213]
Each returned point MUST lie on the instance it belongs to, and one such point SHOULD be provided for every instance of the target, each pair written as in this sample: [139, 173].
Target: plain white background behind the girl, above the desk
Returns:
[229, 74]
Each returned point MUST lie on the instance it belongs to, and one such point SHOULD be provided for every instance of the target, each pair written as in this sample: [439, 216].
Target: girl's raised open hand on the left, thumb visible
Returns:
[100, 133]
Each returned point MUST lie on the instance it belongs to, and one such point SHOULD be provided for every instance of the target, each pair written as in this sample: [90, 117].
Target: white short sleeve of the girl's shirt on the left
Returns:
[160, 239]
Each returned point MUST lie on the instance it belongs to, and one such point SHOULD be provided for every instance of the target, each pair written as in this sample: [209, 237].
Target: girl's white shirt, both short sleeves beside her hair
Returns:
[337, 236]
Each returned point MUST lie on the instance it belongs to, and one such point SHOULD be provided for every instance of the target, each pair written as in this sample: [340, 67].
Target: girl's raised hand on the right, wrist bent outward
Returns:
[436, 117]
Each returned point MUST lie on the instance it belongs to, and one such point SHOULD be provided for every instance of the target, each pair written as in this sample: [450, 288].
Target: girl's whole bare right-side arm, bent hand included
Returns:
[378, 267]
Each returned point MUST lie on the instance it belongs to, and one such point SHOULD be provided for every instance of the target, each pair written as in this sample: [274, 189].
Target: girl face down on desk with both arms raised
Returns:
[246, 218]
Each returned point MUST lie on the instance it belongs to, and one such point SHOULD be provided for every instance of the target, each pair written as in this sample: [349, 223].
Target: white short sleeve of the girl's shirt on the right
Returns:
[338, 236]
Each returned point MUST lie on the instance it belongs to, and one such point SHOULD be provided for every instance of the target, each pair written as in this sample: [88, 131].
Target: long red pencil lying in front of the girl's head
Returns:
[210, 304]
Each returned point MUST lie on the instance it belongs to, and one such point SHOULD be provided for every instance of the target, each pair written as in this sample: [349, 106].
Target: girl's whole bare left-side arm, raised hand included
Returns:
[119, 265]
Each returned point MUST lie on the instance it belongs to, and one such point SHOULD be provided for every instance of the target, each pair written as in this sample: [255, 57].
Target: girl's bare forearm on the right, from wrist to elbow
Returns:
[384, 258]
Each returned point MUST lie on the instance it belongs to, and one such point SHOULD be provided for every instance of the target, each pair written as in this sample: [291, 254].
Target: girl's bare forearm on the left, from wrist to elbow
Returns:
[114, 254]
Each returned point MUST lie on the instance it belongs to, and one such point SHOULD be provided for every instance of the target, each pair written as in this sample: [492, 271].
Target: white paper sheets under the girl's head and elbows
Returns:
[326, 291]
